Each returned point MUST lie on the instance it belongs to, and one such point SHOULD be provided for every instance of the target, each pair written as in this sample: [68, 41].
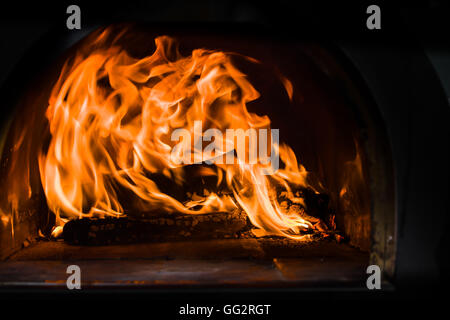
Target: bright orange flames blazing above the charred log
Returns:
[111, 118]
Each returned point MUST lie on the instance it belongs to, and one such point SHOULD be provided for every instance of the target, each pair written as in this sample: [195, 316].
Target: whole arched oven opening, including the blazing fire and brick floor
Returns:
[184, 159]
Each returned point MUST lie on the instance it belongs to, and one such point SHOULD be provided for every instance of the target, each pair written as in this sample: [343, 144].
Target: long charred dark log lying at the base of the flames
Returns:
[173, 227]
